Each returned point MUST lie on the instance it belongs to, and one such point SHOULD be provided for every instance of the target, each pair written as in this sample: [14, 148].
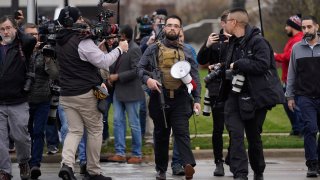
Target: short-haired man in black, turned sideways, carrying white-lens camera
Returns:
[256, 88]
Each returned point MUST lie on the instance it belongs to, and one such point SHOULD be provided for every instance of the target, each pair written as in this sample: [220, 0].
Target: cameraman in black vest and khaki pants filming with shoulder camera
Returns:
[79, 59]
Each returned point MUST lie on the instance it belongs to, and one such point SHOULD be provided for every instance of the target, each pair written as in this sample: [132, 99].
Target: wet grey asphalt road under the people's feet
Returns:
[279, 168]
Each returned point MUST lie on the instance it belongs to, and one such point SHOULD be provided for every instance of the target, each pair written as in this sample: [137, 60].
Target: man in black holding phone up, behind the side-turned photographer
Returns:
[214, 51]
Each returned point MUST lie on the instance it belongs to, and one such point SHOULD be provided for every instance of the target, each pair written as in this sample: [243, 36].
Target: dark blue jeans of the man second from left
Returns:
[37, 123]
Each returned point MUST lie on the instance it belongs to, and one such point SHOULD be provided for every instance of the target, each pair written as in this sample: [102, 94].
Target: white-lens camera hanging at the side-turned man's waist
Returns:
[237, 78]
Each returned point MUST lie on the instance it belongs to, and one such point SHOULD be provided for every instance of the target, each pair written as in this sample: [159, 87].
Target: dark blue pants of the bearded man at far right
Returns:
[310, 110]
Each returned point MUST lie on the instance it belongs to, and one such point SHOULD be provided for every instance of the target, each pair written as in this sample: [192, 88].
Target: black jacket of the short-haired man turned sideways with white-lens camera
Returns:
[253, 56]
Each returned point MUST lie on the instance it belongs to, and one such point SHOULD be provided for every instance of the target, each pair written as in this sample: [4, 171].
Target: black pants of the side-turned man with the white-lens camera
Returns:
[253, 129]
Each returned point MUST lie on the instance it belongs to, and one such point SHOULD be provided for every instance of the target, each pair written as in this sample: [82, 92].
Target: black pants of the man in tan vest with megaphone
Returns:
[178, 112]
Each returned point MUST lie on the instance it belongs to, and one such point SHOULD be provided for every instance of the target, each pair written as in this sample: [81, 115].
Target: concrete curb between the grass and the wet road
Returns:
[199, 154]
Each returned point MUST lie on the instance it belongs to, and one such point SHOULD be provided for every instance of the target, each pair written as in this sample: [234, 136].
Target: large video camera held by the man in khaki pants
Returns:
[104, 29]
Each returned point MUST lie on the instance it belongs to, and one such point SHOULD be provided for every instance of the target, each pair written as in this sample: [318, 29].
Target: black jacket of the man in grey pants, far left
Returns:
[13, 70]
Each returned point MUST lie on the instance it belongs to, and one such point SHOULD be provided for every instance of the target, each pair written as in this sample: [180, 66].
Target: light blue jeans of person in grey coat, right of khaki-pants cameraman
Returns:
[119, 125]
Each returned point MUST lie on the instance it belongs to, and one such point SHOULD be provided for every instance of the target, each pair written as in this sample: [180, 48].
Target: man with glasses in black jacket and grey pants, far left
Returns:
[15, 51]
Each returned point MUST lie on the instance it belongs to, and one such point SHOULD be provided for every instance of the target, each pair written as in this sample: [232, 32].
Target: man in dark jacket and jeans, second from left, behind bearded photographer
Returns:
[39, 100]
